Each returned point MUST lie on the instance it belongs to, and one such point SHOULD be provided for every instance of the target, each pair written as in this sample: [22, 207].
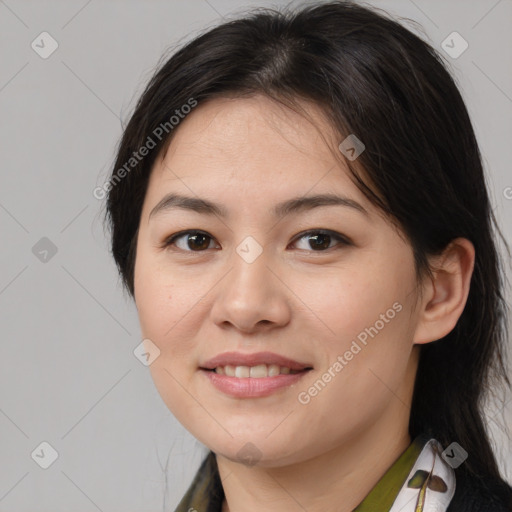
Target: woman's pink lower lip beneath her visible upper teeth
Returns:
[252, 387]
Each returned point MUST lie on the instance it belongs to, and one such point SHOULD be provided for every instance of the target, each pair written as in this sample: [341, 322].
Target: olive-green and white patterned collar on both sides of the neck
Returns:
[420, 480]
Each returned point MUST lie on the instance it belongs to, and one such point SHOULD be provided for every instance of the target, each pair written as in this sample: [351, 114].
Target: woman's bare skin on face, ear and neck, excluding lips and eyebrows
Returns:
[248, 155]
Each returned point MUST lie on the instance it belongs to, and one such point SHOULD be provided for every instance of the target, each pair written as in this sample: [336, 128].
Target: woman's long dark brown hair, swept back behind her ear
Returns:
[374, 78]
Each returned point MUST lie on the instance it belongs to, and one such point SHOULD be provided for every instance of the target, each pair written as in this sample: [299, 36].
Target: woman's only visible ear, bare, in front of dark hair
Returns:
[446, 293]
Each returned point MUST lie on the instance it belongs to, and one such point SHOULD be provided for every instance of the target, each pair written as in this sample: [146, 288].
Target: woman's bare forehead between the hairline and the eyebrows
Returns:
[255, 147]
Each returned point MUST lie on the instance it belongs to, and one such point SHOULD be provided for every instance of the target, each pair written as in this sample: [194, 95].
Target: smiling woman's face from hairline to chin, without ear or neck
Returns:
[329, 286]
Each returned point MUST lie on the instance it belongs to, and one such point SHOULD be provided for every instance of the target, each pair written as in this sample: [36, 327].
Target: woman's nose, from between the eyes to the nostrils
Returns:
[252, 297]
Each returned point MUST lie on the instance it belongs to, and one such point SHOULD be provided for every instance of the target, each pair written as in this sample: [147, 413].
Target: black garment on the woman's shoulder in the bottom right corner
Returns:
[480, 495]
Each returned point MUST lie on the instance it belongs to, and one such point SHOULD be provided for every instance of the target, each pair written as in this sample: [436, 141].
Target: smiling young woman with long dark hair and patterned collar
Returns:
[299, 211]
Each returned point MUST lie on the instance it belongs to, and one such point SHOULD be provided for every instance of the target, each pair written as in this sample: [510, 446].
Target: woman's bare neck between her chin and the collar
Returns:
[337, 480]
